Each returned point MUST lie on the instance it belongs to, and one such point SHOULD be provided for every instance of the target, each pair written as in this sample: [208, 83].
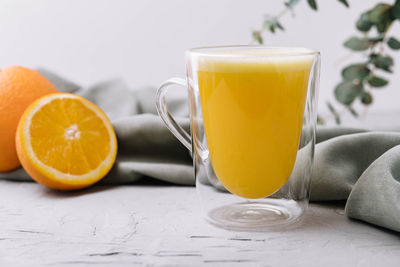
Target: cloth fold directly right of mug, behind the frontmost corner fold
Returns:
[340, 161]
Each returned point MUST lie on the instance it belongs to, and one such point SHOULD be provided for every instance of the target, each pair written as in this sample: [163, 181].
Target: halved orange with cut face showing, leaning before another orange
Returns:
[65, 142]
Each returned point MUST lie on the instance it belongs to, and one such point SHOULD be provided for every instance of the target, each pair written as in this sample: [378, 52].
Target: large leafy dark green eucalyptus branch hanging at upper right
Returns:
[359, 80]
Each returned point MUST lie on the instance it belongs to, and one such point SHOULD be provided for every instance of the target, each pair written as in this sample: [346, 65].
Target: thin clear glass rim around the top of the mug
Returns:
[211, 51]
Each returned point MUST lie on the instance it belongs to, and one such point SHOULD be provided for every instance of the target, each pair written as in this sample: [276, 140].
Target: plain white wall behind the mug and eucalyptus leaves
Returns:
[143, 41]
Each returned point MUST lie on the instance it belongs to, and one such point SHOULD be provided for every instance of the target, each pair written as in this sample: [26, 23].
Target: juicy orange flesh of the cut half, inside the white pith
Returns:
[77, 141]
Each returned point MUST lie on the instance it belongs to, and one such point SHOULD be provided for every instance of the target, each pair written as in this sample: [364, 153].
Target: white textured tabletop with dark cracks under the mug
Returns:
[161, 225]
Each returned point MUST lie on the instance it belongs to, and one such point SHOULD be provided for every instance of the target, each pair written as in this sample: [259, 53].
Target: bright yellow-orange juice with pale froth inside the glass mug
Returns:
[253, 112]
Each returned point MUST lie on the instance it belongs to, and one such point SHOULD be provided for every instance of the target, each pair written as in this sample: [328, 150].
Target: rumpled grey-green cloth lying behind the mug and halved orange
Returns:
[358, 165]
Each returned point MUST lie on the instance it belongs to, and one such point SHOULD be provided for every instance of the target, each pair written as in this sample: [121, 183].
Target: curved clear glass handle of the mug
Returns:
[167, 117]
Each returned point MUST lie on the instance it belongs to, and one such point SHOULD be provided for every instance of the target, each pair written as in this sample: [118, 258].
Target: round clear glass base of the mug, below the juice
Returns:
[264, 215]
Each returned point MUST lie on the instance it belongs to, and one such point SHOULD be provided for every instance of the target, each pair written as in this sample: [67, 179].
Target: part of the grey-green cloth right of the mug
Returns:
[362, 167]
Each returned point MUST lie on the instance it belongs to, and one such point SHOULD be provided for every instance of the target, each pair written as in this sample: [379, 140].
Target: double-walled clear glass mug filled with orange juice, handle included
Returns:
[252, 118]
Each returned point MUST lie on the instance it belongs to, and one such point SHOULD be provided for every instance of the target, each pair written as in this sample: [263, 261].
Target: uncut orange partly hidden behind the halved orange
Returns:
[19, 87]
